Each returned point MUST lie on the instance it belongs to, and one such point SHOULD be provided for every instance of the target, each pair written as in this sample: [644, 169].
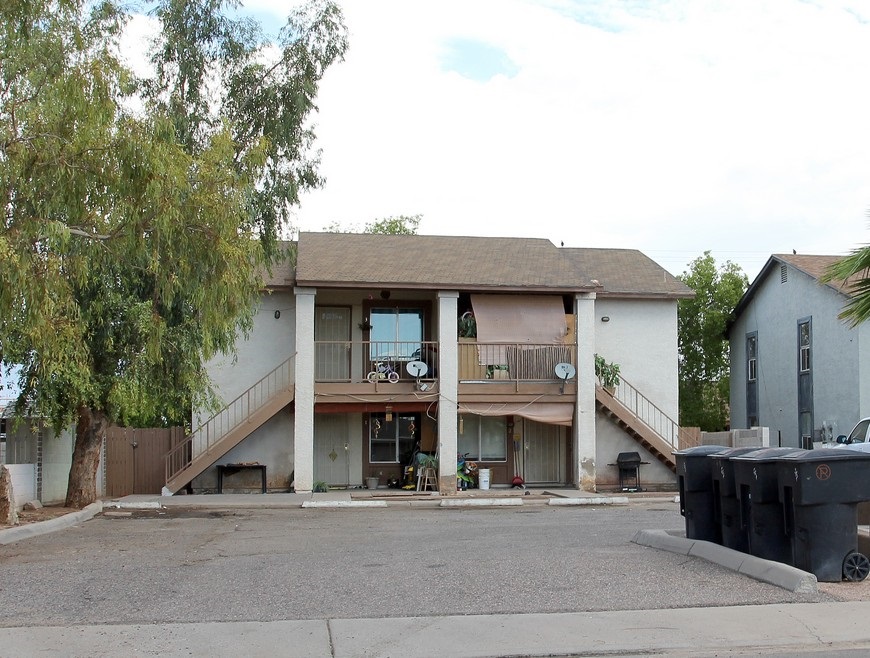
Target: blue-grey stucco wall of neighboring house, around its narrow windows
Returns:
[774, 313]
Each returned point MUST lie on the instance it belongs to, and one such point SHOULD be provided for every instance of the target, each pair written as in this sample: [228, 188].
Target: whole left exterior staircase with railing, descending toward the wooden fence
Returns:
[229, 427]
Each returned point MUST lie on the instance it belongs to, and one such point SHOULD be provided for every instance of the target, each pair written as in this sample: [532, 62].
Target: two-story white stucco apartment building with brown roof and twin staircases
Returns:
[356, 361]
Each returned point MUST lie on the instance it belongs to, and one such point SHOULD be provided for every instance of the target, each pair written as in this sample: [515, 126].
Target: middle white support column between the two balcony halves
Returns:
[448, 389]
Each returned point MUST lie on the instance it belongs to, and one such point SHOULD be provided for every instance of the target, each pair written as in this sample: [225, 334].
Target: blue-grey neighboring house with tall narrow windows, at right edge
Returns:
[796, 367]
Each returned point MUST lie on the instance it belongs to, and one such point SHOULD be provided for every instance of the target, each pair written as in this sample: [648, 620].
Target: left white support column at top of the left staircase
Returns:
[303, 419]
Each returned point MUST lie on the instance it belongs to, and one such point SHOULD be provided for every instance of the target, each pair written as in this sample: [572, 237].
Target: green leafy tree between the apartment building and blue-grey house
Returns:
[703, 345]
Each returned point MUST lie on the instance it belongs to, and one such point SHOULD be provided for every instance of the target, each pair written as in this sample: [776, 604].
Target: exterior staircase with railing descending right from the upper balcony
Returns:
[638, 417]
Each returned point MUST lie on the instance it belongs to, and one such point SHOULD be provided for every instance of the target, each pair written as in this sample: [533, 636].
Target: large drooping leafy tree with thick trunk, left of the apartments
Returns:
[132, 241]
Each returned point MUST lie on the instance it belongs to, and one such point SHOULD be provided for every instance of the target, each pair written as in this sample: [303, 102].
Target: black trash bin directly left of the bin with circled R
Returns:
[760, 512]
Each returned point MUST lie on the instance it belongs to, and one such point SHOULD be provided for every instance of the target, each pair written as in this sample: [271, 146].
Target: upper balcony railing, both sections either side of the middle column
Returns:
[348, 361]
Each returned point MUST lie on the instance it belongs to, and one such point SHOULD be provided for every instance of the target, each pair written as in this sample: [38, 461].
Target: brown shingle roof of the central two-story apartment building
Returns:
[474, 263]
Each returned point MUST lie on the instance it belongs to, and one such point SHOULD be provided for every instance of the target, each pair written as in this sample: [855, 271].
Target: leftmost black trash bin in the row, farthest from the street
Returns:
[695, 481]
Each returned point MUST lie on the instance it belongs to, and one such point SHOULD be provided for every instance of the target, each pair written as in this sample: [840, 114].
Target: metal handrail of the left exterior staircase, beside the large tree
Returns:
[227, 419]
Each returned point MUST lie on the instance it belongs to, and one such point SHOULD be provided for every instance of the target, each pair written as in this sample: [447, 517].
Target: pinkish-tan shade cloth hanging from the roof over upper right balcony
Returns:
[518, 319]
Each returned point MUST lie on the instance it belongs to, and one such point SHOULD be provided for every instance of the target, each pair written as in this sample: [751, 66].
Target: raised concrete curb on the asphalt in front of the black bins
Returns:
[775, 573]
